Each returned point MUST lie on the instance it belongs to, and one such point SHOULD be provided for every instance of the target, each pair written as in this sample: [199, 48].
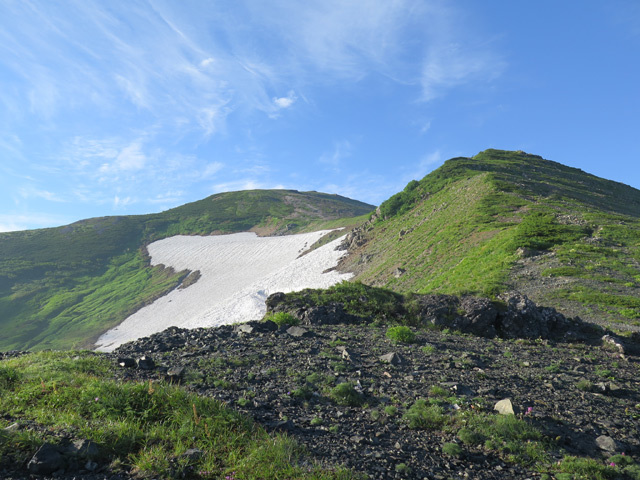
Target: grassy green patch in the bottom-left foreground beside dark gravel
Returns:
[143, 427]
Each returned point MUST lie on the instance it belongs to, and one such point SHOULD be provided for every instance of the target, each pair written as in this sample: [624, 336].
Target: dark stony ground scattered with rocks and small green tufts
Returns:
[583, 396]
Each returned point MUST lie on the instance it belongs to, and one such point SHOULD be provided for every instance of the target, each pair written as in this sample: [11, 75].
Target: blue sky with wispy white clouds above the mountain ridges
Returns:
[127, 107]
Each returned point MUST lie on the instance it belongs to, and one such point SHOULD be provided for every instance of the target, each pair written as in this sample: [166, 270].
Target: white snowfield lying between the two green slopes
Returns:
[238, 272]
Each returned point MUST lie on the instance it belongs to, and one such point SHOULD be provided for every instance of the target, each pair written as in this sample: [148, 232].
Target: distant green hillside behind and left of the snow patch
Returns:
[62, 287]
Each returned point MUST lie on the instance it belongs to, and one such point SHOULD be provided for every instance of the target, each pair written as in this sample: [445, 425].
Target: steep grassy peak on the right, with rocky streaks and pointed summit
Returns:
[509, 220]
